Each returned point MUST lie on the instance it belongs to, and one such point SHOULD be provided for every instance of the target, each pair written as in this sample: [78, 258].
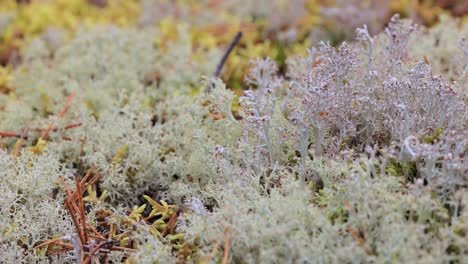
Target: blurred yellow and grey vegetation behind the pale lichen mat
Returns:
[276, 28]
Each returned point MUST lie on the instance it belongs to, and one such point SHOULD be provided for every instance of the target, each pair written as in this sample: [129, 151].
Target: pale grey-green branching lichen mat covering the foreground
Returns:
[357, 154]
